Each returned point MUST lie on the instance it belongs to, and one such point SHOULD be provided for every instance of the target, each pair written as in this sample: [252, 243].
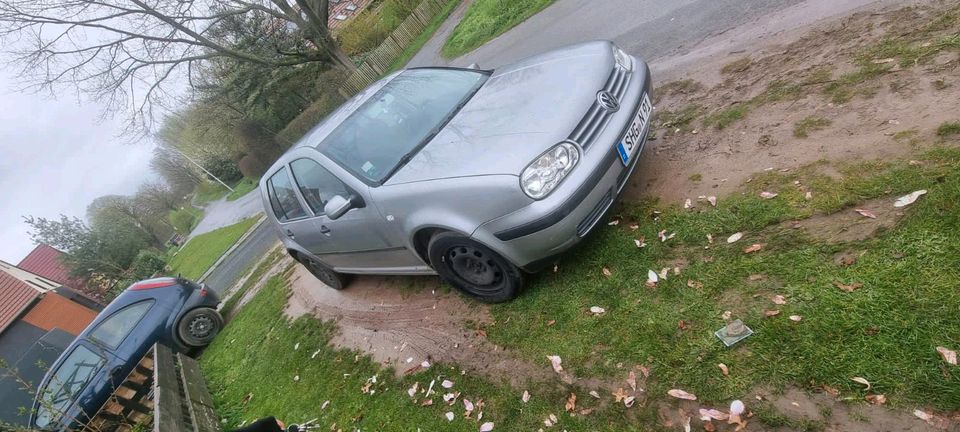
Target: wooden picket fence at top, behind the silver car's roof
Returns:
[379, 60]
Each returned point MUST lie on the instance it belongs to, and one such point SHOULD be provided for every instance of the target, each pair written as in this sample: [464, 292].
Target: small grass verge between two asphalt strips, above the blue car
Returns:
[202, 251]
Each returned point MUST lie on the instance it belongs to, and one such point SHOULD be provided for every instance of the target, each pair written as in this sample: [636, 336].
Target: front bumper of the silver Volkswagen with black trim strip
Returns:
[532, 237]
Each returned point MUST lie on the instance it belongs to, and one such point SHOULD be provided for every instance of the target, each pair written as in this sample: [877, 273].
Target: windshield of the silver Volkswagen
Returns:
[394, 123]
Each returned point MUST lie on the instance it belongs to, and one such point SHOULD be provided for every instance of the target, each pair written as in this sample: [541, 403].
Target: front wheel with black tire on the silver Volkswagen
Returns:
[473, 268]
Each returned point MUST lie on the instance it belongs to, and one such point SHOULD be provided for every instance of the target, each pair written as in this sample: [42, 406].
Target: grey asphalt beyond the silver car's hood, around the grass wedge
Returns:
[647, 28]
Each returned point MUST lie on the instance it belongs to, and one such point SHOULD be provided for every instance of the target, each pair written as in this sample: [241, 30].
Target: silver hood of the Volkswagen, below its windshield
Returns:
[521, 111]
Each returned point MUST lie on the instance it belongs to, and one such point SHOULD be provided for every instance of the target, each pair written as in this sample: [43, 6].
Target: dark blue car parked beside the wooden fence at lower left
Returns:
[173, 311]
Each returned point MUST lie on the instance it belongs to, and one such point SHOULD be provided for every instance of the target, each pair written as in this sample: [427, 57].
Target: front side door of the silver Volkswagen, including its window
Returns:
[354, 242]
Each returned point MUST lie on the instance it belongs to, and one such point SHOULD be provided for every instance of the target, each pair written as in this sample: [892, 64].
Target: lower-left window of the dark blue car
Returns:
[65, 383]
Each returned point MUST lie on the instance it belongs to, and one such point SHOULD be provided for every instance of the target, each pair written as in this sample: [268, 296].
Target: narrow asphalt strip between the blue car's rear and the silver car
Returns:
[240, 261]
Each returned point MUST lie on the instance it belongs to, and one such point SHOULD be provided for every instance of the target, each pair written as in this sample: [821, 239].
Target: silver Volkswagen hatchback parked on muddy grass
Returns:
[478, 176]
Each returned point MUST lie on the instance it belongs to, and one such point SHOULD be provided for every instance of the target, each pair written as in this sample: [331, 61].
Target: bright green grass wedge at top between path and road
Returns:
[487, 19]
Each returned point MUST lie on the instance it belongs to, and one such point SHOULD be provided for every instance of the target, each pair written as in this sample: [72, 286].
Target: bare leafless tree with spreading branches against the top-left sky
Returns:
[133, 54]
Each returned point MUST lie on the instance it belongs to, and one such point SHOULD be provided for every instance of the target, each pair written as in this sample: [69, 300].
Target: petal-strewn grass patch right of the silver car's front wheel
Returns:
[886, 331]
